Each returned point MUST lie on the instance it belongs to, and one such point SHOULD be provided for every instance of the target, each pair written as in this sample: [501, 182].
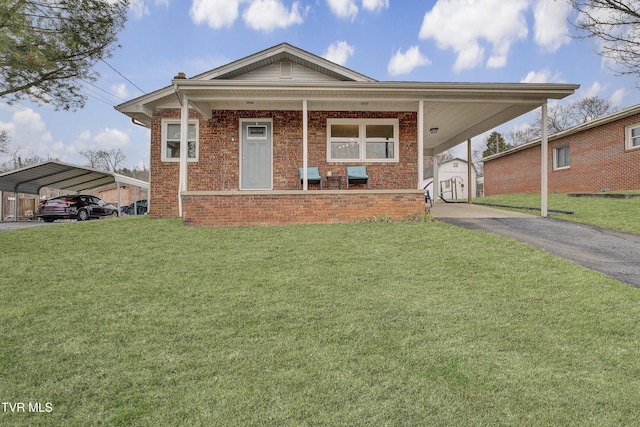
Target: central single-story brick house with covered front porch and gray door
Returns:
[227, 144]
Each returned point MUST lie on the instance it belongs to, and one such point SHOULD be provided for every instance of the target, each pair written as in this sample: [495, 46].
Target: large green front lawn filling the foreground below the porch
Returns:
[146, 322]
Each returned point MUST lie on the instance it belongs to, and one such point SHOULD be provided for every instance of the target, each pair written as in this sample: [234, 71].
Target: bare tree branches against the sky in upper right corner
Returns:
[616, 25]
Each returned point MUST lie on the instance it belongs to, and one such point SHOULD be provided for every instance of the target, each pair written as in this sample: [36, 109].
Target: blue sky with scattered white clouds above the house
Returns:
[389, 40]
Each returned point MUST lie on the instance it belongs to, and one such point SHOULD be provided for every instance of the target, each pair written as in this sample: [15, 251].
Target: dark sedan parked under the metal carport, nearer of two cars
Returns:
[81, 207]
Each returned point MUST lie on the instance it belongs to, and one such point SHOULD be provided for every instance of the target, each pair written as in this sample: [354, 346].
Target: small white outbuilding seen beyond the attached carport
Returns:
[452, 180]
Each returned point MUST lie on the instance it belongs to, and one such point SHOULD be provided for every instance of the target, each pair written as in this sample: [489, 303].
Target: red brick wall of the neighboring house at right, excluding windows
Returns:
[598, 160]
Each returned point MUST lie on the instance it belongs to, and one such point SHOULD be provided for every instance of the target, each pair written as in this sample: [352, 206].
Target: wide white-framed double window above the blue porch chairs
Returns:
[362, 140]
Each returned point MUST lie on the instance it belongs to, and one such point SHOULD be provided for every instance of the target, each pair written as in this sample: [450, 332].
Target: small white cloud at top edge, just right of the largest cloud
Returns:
[551, 28]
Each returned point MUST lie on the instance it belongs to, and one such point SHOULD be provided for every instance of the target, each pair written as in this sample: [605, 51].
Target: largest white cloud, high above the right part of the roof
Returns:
[465, 26]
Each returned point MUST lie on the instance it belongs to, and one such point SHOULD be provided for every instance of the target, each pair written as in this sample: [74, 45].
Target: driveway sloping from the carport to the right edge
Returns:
[613, 253]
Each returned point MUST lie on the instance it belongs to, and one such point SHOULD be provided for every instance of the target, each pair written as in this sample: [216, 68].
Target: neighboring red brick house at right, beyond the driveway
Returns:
[603, 154]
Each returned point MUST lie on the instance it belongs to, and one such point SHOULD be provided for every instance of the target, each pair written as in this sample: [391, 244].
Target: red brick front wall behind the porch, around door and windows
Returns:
[217, 168]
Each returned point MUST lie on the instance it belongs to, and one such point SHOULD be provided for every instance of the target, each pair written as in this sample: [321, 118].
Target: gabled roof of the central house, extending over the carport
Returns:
[457, 111]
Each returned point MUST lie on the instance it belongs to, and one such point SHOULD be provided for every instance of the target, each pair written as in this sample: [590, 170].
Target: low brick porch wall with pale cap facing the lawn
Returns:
[286, 207]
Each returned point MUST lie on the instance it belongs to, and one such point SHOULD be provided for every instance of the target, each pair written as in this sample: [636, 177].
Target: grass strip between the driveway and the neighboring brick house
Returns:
[616, 214]
